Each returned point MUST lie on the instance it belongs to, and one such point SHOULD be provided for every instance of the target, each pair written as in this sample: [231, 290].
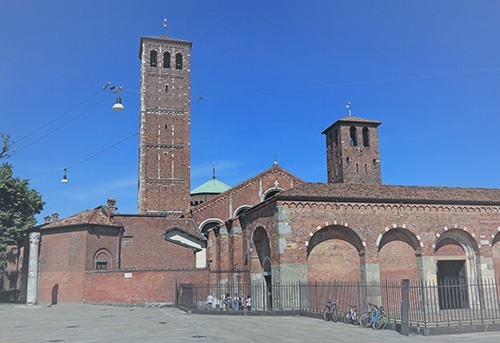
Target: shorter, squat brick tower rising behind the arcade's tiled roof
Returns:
[352, 151]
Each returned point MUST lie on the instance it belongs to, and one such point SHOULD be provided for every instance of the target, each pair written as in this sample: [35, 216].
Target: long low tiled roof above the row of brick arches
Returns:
[385, 193]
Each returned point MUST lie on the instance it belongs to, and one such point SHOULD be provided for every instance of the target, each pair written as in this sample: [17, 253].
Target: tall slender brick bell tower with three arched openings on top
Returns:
[164, 135]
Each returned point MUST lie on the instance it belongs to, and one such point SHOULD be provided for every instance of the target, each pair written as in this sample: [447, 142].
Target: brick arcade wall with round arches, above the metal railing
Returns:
[301, 250]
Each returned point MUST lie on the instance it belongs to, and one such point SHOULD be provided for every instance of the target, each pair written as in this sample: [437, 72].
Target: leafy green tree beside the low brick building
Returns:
[18, 205]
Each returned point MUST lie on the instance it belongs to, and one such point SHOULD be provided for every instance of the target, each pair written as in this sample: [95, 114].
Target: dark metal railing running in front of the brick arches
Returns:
[450, 302]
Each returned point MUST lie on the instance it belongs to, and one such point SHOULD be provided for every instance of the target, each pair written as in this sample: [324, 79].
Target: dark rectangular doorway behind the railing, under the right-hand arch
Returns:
[452, 285]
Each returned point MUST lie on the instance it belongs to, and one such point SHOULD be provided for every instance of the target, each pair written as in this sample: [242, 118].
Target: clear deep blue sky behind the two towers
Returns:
[272, 76]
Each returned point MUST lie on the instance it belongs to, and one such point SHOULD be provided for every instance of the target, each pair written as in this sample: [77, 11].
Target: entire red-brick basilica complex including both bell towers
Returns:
[272, 228]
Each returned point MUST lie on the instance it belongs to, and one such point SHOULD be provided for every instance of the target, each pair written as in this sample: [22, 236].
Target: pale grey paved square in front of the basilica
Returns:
[92, 323]
